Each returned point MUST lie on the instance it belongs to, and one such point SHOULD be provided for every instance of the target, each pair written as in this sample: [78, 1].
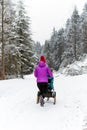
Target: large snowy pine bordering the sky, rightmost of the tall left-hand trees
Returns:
[24, 41]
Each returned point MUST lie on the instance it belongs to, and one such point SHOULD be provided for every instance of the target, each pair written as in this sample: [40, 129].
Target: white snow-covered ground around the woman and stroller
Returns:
[19, 111]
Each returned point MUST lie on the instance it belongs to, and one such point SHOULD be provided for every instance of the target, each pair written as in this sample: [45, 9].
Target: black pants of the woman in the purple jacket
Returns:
[43, 87]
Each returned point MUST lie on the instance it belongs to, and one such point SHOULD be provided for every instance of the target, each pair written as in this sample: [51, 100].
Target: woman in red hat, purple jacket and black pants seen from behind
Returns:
[41, 71]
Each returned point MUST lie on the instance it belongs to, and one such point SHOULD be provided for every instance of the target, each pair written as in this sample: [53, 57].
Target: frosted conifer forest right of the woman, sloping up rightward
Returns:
[68, 44]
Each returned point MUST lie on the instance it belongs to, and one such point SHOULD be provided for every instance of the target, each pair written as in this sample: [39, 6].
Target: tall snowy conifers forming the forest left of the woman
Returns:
[16, 44]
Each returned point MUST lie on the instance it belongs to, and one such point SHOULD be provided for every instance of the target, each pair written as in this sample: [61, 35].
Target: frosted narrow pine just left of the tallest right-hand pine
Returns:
[67, 55]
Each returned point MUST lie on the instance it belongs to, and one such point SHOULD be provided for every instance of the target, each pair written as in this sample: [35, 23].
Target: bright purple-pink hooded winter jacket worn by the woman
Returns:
[41, 72]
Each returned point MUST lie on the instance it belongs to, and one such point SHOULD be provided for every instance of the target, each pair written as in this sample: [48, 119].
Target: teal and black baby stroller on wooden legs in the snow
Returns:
[50, 93]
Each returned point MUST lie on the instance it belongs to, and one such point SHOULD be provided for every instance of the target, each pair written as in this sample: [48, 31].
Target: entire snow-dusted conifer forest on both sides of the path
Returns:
[19, 53]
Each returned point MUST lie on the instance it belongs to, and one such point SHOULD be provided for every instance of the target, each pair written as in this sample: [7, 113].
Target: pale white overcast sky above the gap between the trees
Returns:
[46, 14]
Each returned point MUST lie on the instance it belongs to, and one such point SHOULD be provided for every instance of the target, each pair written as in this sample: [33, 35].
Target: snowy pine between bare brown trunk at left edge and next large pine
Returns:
[10, 40]
